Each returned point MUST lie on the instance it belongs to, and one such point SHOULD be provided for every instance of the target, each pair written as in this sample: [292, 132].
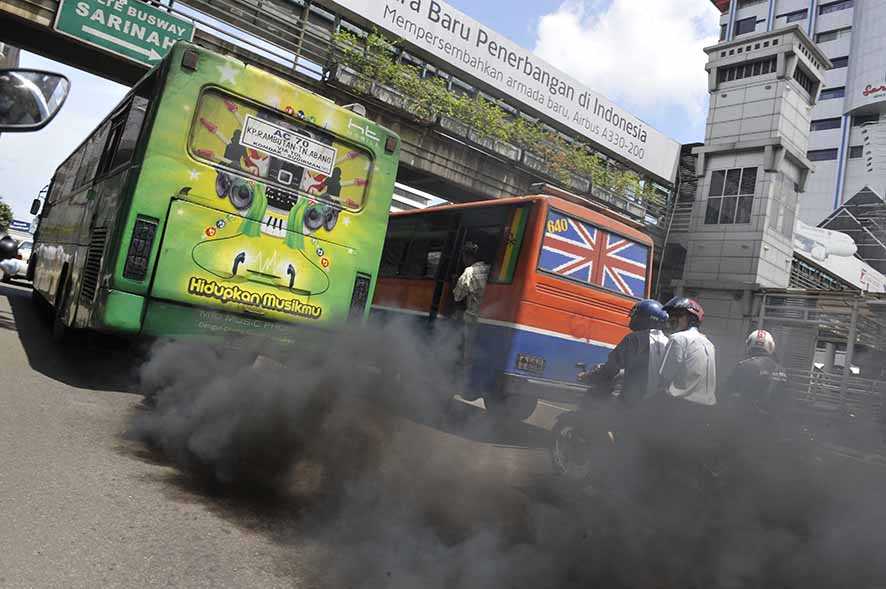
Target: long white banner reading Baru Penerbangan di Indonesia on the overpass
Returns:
[490, 58]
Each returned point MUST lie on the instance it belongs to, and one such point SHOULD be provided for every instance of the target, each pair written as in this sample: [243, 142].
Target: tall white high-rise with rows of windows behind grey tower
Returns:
[847, 139]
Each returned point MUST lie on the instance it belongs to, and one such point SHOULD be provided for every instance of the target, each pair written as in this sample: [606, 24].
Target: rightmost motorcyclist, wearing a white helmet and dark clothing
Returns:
[758, 382]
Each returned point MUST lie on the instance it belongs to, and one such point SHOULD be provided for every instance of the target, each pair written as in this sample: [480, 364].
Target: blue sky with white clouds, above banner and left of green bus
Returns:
[613, 46]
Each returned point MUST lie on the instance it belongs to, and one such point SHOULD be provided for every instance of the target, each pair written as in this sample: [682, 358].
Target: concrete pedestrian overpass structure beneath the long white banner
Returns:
[295, 39]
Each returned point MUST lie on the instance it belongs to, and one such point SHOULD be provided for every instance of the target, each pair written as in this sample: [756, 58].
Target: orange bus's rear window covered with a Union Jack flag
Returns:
[581, 252]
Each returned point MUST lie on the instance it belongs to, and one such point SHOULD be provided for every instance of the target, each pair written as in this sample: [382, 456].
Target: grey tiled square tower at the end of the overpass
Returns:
[750, 174]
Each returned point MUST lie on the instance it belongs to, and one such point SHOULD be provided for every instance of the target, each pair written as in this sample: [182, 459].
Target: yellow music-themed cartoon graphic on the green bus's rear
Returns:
[285, 180]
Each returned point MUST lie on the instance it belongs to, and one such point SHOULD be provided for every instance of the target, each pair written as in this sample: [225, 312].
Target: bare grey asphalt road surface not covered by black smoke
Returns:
[82, 506]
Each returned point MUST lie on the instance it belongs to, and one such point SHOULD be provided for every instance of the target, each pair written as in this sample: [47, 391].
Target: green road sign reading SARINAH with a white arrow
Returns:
[128, 28]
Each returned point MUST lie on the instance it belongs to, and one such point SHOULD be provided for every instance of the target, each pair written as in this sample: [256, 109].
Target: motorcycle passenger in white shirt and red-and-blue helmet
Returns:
[689, 368]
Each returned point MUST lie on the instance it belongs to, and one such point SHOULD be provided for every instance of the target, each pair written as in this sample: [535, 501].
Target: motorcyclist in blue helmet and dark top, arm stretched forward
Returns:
[639, 354]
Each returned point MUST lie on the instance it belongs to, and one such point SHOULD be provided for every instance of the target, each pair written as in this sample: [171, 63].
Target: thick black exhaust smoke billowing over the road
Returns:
[414, 506]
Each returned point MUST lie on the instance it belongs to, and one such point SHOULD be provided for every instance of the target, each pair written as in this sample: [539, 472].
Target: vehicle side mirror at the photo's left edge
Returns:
[30, 99]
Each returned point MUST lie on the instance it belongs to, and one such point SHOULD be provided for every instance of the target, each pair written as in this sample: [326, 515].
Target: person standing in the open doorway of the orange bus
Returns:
[468, 291]
